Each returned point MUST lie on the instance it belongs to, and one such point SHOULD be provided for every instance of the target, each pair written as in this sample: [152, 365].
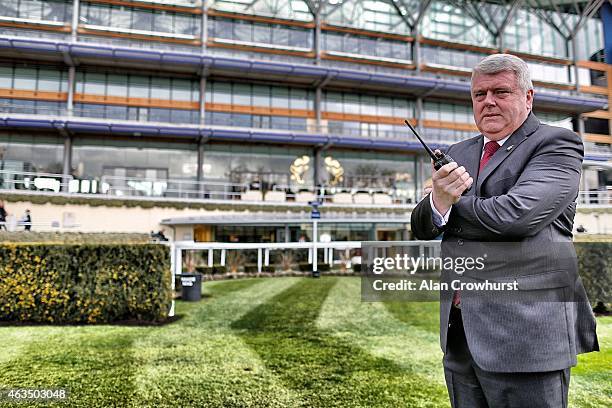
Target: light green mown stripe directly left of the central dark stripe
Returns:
[201, 362]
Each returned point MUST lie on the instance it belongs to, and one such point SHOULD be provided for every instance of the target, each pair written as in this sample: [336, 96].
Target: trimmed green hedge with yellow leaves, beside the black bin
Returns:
[56, 283]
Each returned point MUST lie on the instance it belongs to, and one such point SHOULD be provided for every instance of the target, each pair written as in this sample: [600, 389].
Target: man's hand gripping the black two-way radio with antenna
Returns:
[448, 184]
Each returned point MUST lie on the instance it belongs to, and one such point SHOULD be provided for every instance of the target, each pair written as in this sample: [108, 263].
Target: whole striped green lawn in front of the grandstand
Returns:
[284, 342]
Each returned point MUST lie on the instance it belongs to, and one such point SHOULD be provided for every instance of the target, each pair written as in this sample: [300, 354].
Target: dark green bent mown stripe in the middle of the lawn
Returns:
[326, 370]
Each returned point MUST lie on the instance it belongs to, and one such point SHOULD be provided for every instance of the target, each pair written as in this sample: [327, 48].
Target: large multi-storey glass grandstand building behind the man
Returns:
[220, 119]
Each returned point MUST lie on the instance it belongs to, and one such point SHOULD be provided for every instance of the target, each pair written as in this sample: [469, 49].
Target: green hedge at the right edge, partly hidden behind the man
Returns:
[595, 266]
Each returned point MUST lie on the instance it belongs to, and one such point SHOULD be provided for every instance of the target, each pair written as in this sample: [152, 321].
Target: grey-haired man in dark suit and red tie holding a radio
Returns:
[511, 195]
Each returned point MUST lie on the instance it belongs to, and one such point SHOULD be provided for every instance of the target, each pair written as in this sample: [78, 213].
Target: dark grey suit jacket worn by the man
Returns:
[520, 211]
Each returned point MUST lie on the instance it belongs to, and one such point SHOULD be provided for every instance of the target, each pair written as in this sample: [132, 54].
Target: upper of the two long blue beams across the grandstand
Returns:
[414, 84]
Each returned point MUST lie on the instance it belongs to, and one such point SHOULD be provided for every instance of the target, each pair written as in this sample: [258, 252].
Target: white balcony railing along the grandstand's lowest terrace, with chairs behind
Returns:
[221, 190]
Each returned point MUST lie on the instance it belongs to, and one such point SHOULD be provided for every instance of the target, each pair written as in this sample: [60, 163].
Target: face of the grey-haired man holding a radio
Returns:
[500, 106]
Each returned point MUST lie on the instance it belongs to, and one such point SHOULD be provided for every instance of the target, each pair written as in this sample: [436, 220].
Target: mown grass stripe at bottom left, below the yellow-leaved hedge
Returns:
[94, 364]
